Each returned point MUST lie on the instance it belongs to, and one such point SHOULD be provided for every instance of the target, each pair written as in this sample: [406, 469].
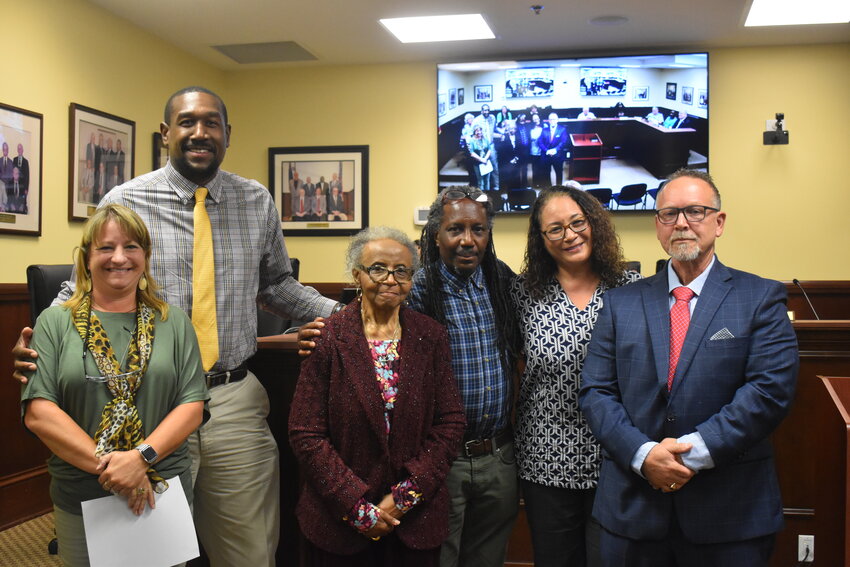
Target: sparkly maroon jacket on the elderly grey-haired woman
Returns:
[337, 431]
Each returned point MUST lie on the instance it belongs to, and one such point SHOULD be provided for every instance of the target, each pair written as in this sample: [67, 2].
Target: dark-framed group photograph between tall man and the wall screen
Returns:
[320, 190]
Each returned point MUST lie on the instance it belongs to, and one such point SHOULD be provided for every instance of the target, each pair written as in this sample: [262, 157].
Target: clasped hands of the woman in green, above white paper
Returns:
[125, 473]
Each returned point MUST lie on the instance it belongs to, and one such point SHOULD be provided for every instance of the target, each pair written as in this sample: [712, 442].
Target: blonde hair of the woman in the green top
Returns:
[134, 227]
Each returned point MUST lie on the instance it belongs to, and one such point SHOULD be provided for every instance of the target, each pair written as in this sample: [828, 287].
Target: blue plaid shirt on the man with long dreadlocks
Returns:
[479, 368]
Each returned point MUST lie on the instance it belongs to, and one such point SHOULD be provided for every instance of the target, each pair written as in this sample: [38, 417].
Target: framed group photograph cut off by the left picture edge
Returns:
[20, 170]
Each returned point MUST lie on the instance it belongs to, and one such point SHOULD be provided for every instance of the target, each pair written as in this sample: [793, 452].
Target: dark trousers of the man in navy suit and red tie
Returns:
[676, 551]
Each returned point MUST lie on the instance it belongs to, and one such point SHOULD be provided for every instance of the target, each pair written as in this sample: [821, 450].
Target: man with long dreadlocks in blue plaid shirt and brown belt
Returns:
[465, 287]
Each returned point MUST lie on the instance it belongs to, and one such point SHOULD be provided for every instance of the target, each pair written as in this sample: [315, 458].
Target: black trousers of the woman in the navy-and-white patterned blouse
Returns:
[563, 532]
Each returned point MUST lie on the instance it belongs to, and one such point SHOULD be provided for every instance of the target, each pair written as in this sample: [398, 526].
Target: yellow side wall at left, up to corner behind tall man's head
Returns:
[72, 51]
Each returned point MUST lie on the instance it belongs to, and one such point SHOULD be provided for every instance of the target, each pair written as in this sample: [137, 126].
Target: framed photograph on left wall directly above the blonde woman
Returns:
[102, 151]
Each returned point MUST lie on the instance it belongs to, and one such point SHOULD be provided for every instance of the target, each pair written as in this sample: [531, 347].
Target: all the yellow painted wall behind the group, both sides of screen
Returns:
[787, 204]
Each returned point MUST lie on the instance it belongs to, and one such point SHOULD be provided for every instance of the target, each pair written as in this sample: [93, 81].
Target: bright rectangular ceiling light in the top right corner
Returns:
[794, 12]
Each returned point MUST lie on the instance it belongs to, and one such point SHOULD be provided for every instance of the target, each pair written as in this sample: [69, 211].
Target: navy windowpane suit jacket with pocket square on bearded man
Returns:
[734, 391]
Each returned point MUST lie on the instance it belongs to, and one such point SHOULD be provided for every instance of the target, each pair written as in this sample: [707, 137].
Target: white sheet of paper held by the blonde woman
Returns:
[158, 538]
